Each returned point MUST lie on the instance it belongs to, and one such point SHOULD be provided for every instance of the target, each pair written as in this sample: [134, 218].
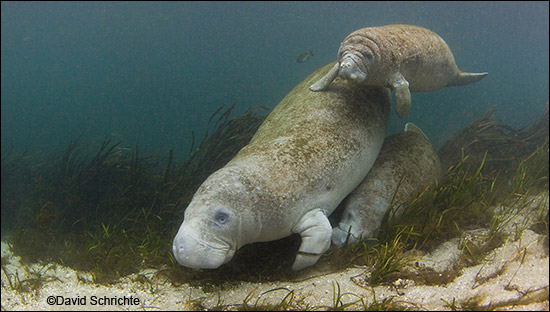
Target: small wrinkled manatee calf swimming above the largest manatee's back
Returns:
[403, 58]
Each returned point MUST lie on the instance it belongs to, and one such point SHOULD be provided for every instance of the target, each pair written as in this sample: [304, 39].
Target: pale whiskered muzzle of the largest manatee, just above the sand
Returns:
[192, 252]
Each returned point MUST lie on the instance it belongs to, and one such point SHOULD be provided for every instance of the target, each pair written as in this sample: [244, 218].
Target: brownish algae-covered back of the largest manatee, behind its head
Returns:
[311, 130]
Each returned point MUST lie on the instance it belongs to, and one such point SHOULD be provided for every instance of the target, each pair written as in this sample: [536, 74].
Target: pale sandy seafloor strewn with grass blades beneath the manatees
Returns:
[513, 276]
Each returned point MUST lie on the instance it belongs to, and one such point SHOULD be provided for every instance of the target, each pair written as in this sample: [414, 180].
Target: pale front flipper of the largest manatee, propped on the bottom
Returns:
[316, 231]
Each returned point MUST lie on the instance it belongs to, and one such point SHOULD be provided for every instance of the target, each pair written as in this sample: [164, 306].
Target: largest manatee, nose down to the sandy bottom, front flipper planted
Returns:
[311, 151]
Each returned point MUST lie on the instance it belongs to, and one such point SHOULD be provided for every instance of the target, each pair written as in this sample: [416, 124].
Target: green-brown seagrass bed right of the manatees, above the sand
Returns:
[465, 200]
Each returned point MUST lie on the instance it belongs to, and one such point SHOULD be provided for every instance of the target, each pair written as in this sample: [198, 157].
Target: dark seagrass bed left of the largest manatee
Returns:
[112, 210]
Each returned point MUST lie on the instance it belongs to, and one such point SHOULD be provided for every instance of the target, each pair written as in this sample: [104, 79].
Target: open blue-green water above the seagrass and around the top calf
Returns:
[151, 73]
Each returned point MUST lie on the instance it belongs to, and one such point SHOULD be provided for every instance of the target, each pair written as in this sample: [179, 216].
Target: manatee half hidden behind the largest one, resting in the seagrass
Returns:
[406, 164]
